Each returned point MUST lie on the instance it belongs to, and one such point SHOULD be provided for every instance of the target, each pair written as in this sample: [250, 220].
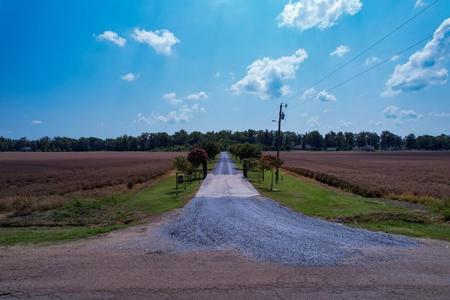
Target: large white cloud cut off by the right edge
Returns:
[425, 67]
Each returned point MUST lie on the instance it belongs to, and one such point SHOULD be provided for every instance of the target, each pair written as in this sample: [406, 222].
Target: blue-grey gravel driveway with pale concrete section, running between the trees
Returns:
[229, 214]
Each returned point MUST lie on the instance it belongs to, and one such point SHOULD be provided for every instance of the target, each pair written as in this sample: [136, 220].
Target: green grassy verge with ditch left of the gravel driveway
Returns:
[83, 218]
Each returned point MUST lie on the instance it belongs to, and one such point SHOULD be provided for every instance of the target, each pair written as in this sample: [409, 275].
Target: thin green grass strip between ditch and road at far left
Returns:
[27, 236]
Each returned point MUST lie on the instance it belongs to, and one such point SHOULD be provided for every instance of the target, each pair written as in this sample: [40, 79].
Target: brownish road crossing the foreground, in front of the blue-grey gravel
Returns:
[101, 267]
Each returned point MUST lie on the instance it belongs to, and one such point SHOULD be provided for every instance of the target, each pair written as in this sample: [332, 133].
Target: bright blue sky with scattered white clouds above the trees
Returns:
[105, 68]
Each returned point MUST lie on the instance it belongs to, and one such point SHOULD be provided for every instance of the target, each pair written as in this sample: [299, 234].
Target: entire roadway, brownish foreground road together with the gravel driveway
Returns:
[229, 242]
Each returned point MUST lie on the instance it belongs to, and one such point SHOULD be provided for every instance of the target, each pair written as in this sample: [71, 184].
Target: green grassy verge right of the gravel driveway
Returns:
[314, 199]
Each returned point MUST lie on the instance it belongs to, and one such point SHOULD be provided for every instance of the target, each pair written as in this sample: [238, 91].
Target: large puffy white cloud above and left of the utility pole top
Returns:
[266, 77]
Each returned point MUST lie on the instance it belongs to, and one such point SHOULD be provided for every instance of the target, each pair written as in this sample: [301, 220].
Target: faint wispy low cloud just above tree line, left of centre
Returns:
[180, 115]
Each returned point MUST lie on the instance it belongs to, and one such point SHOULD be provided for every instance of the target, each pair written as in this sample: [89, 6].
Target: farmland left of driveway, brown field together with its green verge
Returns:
[52, 197]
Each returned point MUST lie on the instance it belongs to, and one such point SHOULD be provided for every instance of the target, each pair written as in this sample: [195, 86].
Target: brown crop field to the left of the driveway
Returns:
[46, 180]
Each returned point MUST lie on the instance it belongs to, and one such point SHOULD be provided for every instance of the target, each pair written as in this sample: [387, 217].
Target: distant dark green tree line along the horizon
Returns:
[184, 141]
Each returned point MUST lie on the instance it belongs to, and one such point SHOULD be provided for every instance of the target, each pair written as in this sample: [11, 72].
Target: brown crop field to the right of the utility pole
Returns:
[398, 175]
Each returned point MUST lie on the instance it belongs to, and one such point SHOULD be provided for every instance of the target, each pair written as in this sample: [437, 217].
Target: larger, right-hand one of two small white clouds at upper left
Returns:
[161, 40]
